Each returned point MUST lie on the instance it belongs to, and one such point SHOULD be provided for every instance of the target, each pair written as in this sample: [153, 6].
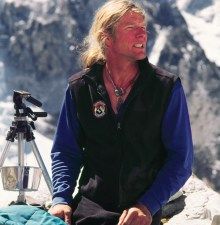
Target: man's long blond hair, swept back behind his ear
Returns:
[105, 21]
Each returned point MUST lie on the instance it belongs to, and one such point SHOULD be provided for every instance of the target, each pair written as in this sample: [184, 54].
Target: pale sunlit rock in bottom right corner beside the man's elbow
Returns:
[201, 205]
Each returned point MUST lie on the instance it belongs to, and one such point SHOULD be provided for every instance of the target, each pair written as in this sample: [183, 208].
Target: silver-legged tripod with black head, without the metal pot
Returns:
[21, 130]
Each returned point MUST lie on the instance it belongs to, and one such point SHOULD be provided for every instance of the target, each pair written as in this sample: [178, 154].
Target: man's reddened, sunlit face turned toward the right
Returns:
[129, 41]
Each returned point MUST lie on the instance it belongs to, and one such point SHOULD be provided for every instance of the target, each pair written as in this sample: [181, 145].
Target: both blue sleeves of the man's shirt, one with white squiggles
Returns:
[176, 136]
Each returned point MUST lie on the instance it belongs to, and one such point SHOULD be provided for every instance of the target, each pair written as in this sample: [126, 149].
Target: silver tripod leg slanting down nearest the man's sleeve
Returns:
[42, 166]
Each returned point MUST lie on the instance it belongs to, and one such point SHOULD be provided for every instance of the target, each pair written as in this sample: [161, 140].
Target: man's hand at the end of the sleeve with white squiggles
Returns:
[62, 211]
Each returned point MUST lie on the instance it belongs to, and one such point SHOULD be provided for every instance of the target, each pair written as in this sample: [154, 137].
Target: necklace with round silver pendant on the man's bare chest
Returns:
[120, 91]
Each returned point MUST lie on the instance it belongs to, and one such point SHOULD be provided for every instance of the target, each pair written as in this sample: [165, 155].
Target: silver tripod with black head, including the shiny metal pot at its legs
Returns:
[23, 178]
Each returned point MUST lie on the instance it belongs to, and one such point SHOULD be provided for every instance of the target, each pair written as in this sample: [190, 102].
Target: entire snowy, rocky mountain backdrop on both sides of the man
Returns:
[40, 42]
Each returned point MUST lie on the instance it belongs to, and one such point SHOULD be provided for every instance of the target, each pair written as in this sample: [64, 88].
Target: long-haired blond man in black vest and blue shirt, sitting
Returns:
[126, 123]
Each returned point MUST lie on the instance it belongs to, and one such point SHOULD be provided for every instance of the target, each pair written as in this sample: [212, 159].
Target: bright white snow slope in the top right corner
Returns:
[205, 27]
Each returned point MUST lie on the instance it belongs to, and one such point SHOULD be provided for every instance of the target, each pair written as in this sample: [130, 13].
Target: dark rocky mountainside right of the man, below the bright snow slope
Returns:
[175, 49]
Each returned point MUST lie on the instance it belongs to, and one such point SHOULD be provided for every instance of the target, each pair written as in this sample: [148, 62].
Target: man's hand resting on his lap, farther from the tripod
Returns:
[136, 215]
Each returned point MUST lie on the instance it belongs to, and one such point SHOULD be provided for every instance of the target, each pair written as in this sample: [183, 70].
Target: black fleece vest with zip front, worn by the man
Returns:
[122, 154]
